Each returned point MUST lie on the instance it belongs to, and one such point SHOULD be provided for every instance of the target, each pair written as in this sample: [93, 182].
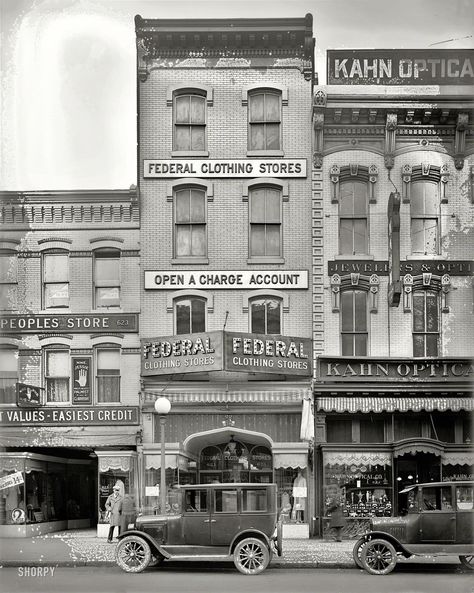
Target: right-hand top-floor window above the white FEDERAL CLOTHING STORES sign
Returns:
[264, 120]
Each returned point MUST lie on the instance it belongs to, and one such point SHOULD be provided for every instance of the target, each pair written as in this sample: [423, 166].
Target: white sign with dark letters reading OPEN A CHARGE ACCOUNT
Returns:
[226, 280]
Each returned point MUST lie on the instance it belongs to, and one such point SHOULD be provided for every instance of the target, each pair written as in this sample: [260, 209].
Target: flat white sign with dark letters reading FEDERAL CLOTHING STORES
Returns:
[224, 168]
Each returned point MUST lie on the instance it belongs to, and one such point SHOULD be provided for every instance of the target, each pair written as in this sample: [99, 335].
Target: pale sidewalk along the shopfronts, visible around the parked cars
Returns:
[84, 548]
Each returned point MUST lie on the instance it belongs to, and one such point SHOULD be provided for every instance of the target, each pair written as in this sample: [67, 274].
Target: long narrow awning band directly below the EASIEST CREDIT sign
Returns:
[74, 436]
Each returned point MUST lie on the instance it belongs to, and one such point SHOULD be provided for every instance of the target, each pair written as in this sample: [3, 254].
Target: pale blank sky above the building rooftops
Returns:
[68, 72]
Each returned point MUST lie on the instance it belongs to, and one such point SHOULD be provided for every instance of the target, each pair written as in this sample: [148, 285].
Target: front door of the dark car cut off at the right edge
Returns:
[438, 516]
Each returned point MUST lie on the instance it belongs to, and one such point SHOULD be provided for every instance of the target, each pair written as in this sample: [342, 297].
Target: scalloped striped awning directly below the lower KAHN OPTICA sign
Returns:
[393, 404]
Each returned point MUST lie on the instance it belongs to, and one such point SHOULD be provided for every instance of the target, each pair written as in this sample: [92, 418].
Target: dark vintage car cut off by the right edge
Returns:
[438, 521]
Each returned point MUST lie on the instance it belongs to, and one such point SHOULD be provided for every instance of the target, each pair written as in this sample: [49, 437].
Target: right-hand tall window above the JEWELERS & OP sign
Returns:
[424, 217]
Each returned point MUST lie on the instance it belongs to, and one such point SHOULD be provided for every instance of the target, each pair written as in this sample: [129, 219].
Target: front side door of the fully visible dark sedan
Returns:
[196, 517]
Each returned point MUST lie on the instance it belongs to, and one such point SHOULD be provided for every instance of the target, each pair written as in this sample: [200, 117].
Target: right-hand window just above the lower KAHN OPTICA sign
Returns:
[425, 323]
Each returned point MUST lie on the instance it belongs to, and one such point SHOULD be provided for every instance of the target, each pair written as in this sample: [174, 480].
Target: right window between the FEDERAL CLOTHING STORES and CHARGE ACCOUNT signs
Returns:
[265, 222]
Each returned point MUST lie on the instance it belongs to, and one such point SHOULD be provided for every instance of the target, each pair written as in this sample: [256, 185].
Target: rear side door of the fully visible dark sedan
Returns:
[225, 516]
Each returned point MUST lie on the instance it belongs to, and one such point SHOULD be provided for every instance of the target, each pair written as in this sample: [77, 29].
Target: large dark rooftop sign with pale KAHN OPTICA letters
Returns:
[401, 66]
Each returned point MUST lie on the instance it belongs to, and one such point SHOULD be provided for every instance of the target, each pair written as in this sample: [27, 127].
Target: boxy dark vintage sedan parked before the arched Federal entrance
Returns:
[213, 522]
